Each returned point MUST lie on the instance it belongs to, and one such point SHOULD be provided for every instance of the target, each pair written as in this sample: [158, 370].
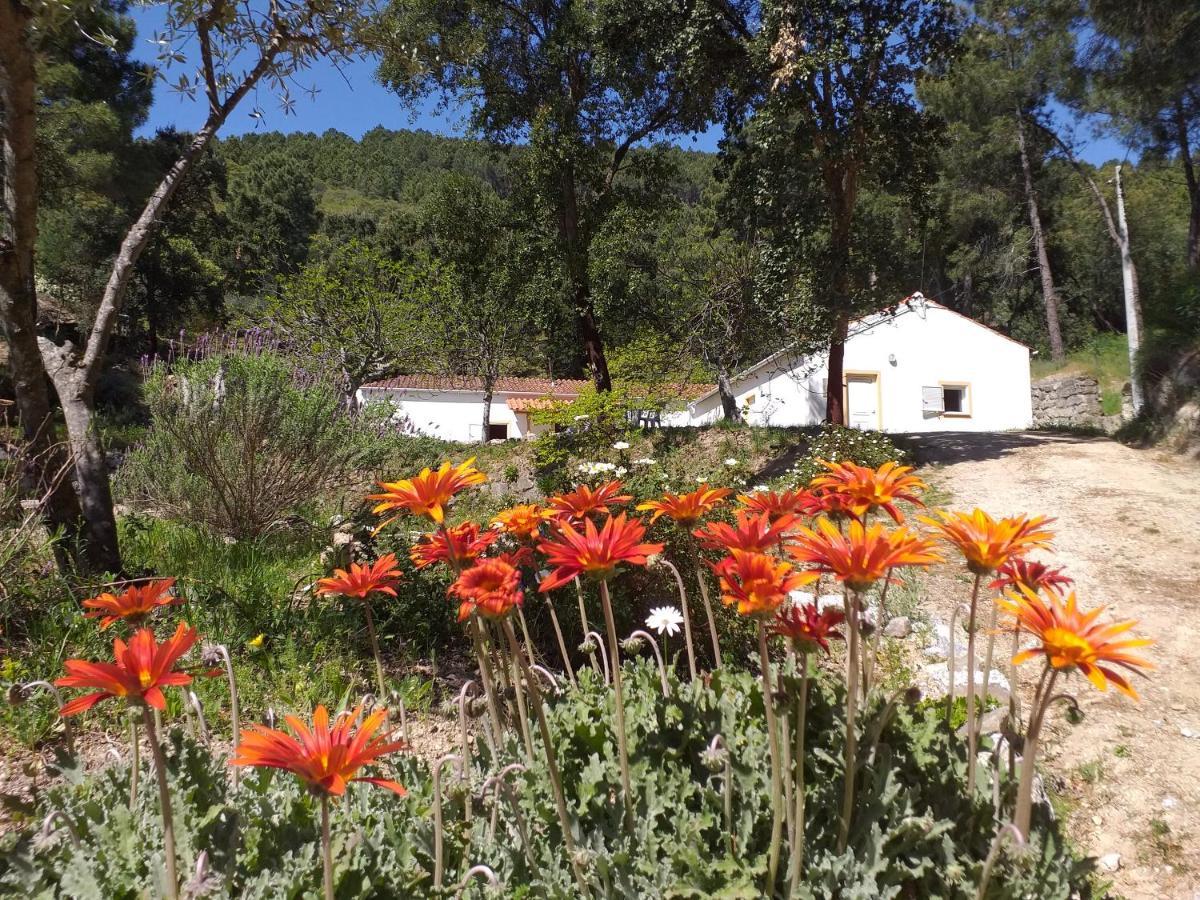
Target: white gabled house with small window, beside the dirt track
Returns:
[917, 368]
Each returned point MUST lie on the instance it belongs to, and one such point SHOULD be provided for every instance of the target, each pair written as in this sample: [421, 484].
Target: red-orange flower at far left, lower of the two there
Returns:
[140, 673]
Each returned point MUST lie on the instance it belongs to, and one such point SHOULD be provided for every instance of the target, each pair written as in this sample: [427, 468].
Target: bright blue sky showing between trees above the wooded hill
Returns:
[353, 103]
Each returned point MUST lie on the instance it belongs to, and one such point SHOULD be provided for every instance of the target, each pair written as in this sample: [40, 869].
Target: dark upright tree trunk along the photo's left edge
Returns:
[19, 299]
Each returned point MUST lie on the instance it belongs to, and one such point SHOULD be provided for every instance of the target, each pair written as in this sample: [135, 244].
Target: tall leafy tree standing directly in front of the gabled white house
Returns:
[836, 149]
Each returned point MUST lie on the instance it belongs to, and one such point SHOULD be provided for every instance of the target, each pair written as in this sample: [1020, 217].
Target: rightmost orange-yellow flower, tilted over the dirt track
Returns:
[1072, 639]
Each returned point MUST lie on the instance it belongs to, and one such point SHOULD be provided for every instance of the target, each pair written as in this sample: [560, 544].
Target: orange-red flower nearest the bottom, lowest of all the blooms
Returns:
[325, 758]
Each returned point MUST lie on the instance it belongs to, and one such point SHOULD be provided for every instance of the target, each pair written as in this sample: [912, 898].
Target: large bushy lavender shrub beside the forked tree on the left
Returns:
[241, 443]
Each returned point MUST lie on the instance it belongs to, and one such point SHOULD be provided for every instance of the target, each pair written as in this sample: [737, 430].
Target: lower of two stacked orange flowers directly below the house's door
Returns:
[862, 556]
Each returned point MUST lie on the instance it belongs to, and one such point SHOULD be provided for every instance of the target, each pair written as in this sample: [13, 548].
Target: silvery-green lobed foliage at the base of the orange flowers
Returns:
[915, 833]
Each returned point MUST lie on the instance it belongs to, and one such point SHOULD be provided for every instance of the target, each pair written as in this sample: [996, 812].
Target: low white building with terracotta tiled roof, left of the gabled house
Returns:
[452, 407]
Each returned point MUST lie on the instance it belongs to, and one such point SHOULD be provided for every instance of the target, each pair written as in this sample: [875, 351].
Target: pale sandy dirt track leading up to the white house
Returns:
[1129, 531]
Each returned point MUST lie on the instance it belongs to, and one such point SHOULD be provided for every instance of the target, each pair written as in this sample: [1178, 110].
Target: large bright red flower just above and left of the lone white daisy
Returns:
[596, 554]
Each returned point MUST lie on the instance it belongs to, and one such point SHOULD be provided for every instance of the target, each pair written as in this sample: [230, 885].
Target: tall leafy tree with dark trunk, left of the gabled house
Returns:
[584, 85]
